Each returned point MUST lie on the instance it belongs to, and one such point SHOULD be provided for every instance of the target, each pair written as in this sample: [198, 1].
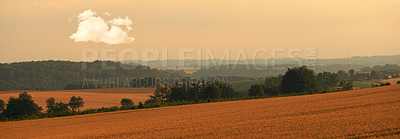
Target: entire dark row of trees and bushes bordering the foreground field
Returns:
[296, 81]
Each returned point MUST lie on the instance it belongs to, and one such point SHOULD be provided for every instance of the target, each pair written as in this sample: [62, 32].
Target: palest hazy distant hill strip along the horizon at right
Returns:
[356, 60]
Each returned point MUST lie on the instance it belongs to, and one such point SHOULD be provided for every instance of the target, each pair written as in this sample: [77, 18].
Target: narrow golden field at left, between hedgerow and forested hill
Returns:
[93, 98]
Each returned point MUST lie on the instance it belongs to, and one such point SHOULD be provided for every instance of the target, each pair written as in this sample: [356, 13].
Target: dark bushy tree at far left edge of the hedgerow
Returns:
[21, 106]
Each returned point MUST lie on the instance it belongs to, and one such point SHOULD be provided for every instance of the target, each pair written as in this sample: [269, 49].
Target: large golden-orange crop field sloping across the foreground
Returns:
[372, 112]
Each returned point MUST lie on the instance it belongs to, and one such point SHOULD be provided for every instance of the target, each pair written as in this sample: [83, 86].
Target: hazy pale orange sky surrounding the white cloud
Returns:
[41, 30]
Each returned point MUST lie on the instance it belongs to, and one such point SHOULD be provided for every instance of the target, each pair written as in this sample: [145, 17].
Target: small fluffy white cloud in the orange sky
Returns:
[96, 29]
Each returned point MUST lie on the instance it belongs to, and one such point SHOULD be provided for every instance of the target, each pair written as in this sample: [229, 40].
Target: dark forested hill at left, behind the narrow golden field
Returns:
[58, 75]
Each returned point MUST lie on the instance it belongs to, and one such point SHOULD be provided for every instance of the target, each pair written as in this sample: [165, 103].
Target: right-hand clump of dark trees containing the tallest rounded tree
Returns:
[302, 80]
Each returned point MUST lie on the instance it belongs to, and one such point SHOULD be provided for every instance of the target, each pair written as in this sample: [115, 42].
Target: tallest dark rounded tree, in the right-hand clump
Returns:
[299, 79]
